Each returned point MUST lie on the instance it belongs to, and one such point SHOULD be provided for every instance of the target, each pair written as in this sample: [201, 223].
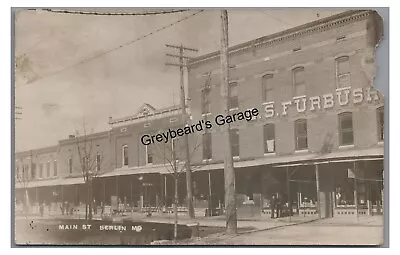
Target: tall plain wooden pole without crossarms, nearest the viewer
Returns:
[229, 171]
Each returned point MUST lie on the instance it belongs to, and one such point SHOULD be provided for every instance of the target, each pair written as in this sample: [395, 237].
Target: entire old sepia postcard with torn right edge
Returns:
[198, 127]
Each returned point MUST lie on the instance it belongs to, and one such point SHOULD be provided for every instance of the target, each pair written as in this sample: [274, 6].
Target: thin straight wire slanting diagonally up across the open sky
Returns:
[113, 49]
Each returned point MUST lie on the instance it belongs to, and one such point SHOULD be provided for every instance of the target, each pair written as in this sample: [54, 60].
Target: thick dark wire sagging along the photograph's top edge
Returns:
[97, 13]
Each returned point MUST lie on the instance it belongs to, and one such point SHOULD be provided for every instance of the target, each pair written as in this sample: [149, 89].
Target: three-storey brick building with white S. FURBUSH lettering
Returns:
[318, 142]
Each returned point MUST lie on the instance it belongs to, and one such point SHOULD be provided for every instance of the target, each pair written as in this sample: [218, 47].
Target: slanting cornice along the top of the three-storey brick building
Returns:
[318, 25]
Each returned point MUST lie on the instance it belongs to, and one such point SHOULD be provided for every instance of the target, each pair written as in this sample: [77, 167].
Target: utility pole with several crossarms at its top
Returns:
[181, 65]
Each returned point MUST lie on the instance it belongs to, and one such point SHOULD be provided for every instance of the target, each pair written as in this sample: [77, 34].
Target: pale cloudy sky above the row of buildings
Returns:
[59, 90]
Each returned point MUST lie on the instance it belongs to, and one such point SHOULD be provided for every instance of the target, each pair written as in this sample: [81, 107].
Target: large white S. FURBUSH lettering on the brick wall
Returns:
[341, 97]
